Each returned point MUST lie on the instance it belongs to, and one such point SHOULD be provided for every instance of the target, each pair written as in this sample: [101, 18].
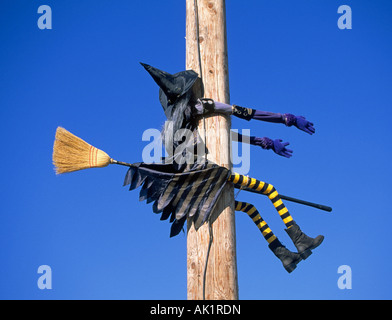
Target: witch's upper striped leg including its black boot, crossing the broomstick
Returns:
[302, 242]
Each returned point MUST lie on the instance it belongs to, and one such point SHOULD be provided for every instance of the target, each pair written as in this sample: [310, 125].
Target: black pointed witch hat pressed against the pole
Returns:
[172, 86]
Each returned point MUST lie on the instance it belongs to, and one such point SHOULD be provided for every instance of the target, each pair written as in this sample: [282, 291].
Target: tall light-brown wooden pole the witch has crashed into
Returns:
[209, 26]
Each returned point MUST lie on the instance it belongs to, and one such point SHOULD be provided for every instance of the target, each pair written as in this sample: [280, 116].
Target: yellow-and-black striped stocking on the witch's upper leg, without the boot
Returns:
[244, 182]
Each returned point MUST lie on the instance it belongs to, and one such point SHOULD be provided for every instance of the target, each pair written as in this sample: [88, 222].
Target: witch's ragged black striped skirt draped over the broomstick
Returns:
[179, 192]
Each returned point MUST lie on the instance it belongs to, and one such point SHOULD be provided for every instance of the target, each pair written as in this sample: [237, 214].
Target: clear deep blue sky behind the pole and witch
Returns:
[284, 56]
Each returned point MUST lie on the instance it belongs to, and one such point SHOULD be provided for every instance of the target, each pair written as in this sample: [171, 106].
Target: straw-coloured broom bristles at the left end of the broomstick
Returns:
[70, 153]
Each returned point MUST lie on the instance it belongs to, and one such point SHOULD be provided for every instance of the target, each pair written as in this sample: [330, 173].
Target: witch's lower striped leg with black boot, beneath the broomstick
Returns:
[289, 259]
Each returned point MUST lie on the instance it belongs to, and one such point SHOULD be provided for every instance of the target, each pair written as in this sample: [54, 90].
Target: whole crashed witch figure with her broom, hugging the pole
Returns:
[189, 191]
